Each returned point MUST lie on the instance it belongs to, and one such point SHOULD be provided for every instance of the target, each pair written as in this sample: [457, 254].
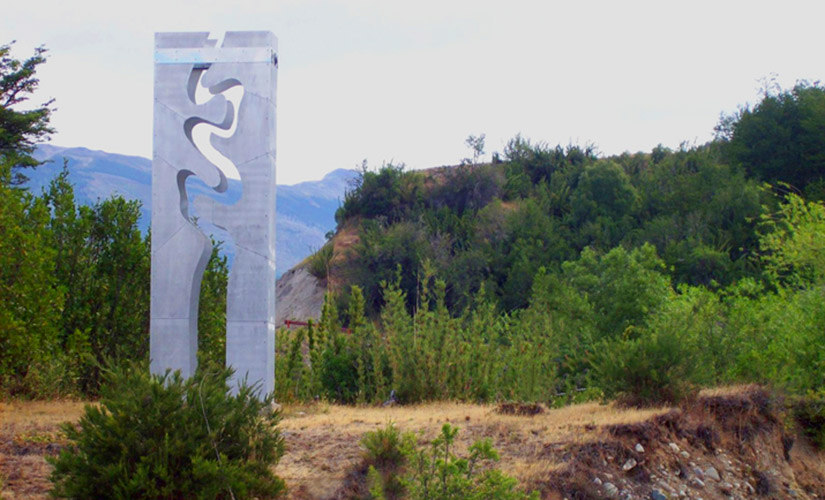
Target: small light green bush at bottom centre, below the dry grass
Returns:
[438, 473]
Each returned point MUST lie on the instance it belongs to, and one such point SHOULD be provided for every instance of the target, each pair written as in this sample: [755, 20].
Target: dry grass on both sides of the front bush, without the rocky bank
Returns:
[323, 440]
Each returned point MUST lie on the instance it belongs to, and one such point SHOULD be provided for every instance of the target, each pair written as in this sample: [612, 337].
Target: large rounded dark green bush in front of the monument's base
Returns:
[163, 437]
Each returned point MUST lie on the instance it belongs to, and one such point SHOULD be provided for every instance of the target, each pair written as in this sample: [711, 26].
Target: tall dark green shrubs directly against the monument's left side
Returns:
[102, 270]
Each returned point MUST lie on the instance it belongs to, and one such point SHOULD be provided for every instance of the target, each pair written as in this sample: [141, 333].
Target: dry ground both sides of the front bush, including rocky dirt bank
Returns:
[724, 444]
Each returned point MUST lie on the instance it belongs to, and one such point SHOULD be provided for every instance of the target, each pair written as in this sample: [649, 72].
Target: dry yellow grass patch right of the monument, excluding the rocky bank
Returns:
[323, 441]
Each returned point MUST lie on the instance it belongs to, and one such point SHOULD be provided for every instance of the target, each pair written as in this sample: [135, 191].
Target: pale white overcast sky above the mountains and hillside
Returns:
[408, 81]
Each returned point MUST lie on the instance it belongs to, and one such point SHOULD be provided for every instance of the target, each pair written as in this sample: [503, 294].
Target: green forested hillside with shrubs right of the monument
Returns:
[555, 273]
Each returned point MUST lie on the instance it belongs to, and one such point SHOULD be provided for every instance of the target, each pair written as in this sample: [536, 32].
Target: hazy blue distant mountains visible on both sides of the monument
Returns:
[306, 211]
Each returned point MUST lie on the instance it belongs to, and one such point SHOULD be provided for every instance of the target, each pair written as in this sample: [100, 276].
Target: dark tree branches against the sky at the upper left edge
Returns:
[20, 130]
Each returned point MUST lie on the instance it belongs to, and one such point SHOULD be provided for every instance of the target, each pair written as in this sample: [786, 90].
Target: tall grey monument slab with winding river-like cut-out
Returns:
[214, 119]
